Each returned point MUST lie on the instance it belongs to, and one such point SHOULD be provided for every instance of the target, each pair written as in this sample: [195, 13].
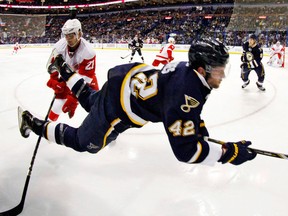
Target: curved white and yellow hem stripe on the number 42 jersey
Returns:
[126, 93]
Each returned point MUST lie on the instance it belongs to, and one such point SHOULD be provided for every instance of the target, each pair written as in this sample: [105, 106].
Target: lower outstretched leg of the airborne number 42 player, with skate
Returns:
[95, 132]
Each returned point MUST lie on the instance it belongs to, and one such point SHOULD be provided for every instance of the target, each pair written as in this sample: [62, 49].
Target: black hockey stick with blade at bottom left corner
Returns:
[18, 209]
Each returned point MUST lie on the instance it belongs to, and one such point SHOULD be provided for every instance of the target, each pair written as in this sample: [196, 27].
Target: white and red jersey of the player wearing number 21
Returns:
[82, 60]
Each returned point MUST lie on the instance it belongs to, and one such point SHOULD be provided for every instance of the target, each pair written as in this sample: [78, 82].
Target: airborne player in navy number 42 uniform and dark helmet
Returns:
[138, 93]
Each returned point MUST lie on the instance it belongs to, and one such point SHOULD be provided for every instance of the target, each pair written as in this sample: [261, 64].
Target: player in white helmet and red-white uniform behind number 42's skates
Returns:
[80, 55]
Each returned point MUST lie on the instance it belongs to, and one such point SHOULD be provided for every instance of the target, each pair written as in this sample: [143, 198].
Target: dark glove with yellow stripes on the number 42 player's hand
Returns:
[237, 153]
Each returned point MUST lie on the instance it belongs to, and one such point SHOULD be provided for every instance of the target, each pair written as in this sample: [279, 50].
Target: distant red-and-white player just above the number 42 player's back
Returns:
[165, 54]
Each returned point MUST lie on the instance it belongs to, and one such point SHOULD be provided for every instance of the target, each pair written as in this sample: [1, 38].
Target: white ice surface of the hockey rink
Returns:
[139, 175]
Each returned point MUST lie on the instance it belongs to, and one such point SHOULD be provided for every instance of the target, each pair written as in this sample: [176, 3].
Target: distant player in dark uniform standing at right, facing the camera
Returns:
[251, 58]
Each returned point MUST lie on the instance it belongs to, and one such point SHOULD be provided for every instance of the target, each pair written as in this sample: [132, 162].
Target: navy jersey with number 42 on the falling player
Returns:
[175, 96]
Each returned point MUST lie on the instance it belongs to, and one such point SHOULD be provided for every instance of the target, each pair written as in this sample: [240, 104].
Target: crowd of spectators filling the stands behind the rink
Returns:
[229, 21]
